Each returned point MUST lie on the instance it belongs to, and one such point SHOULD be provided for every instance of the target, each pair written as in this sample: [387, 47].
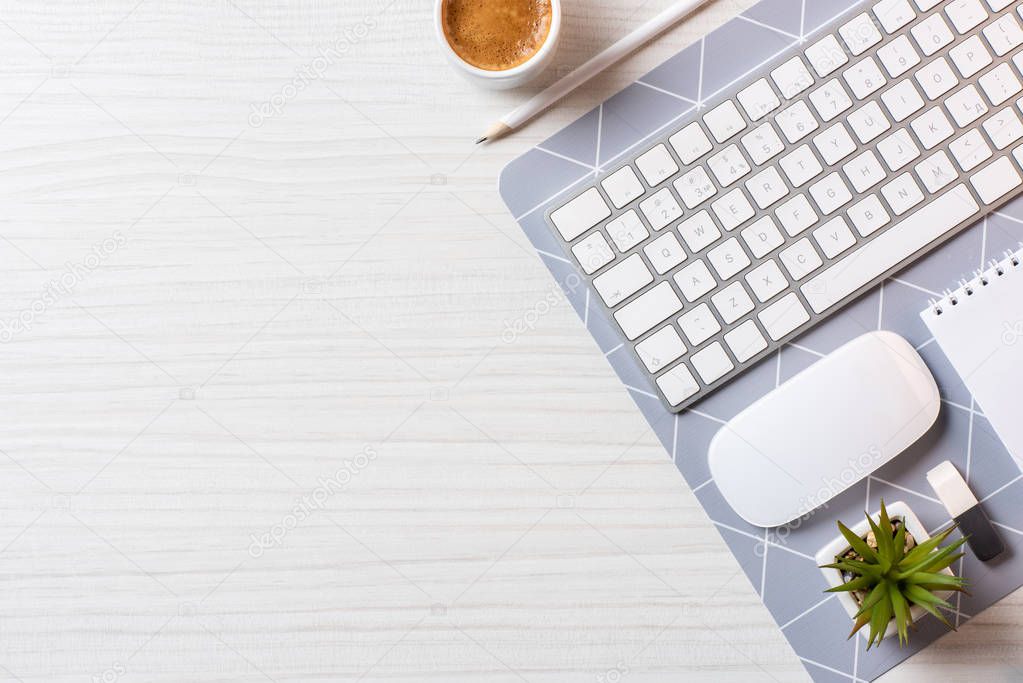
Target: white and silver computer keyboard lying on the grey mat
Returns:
[810, 184]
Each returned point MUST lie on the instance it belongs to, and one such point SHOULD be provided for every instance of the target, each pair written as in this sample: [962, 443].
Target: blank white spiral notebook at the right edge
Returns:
[980, 327]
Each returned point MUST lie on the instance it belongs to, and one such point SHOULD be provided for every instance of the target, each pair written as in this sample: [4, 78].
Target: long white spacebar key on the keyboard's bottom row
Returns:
[891, 249]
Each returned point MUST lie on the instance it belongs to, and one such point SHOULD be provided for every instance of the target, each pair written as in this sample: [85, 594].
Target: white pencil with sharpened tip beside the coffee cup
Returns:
[626, 47]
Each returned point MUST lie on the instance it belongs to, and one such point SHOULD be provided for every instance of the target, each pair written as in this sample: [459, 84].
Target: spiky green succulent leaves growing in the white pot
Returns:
[891, 578]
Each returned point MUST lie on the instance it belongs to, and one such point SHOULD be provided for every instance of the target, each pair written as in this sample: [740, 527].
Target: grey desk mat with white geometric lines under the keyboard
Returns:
[780, 562]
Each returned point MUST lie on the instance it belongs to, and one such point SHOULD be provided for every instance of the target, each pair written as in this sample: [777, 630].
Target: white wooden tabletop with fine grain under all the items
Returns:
[261, 419]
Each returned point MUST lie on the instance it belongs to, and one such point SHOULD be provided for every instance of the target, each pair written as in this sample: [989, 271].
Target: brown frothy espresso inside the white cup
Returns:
[497, 35]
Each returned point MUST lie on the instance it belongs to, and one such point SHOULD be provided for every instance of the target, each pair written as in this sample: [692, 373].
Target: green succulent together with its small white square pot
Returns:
[889, 573]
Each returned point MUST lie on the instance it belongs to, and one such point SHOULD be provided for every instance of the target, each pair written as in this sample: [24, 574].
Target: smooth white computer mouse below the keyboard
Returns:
[825, 430]
